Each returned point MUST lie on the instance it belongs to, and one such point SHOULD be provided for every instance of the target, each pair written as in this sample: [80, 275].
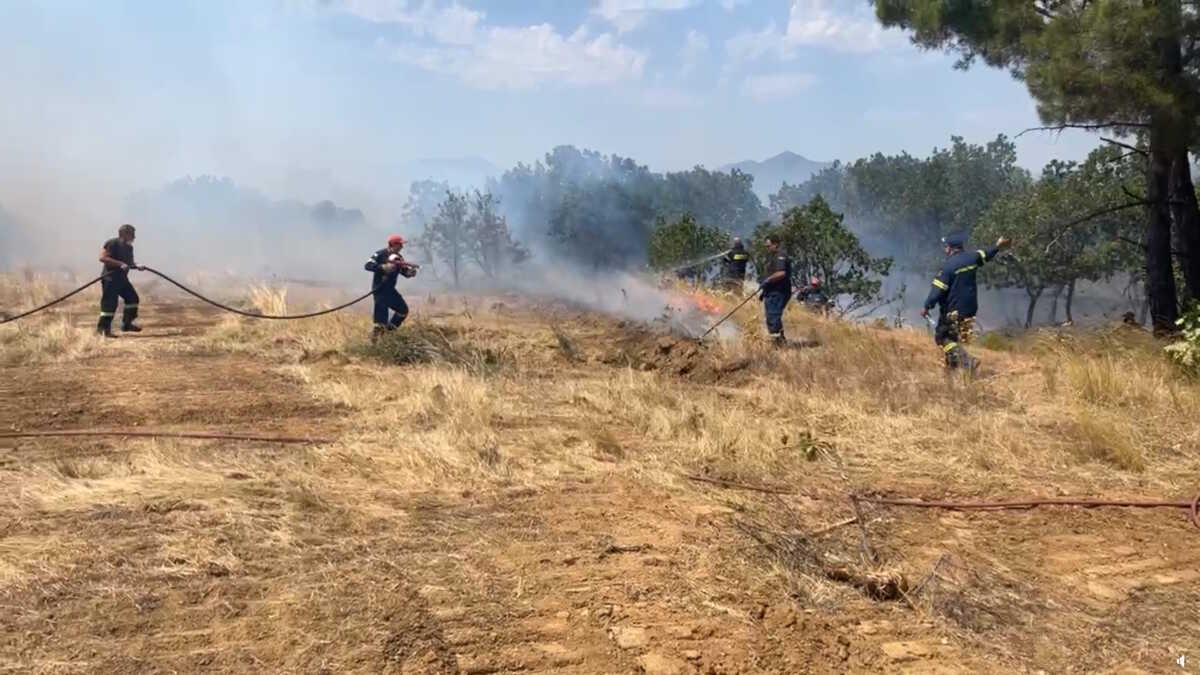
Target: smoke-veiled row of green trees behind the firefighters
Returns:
[1071, 223]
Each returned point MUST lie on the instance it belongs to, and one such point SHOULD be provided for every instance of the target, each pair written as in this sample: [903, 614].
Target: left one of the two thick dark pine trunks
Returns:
[1160, 274]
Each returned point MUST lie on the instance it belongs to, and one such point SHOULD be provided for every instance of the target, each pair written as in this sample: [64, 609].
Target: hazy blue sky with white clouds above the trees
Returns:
[103, 98]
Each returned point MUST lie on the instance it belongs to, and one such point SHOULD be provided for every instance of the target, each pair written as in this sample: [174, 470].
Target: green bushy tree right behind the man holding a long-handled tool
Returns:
[820, 246]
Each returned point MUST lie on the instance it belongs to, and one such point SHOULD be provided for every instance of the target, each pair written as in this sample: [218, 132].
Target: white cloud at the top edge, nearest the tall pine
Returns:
[815, 23]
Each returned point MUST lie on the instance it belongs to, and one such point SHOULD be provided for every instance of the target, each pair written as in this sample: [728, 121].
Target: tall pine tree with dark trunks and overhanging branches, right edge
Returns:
[1130, 70]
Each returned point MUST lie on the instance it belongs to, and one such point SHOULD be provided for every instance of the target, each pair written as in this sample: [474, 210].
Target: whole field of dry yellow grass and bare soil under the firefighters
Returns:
[514, 486]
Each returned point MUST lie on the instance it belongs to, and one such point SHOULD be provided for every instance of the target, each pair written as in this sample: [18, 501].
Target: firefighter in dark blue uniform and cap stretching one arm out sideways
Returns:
[956, 294]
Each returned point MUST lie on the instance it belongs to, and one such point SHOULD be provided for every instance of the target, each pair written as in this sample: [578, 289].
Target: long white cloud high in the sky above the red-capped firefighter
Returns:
[457, 41]
